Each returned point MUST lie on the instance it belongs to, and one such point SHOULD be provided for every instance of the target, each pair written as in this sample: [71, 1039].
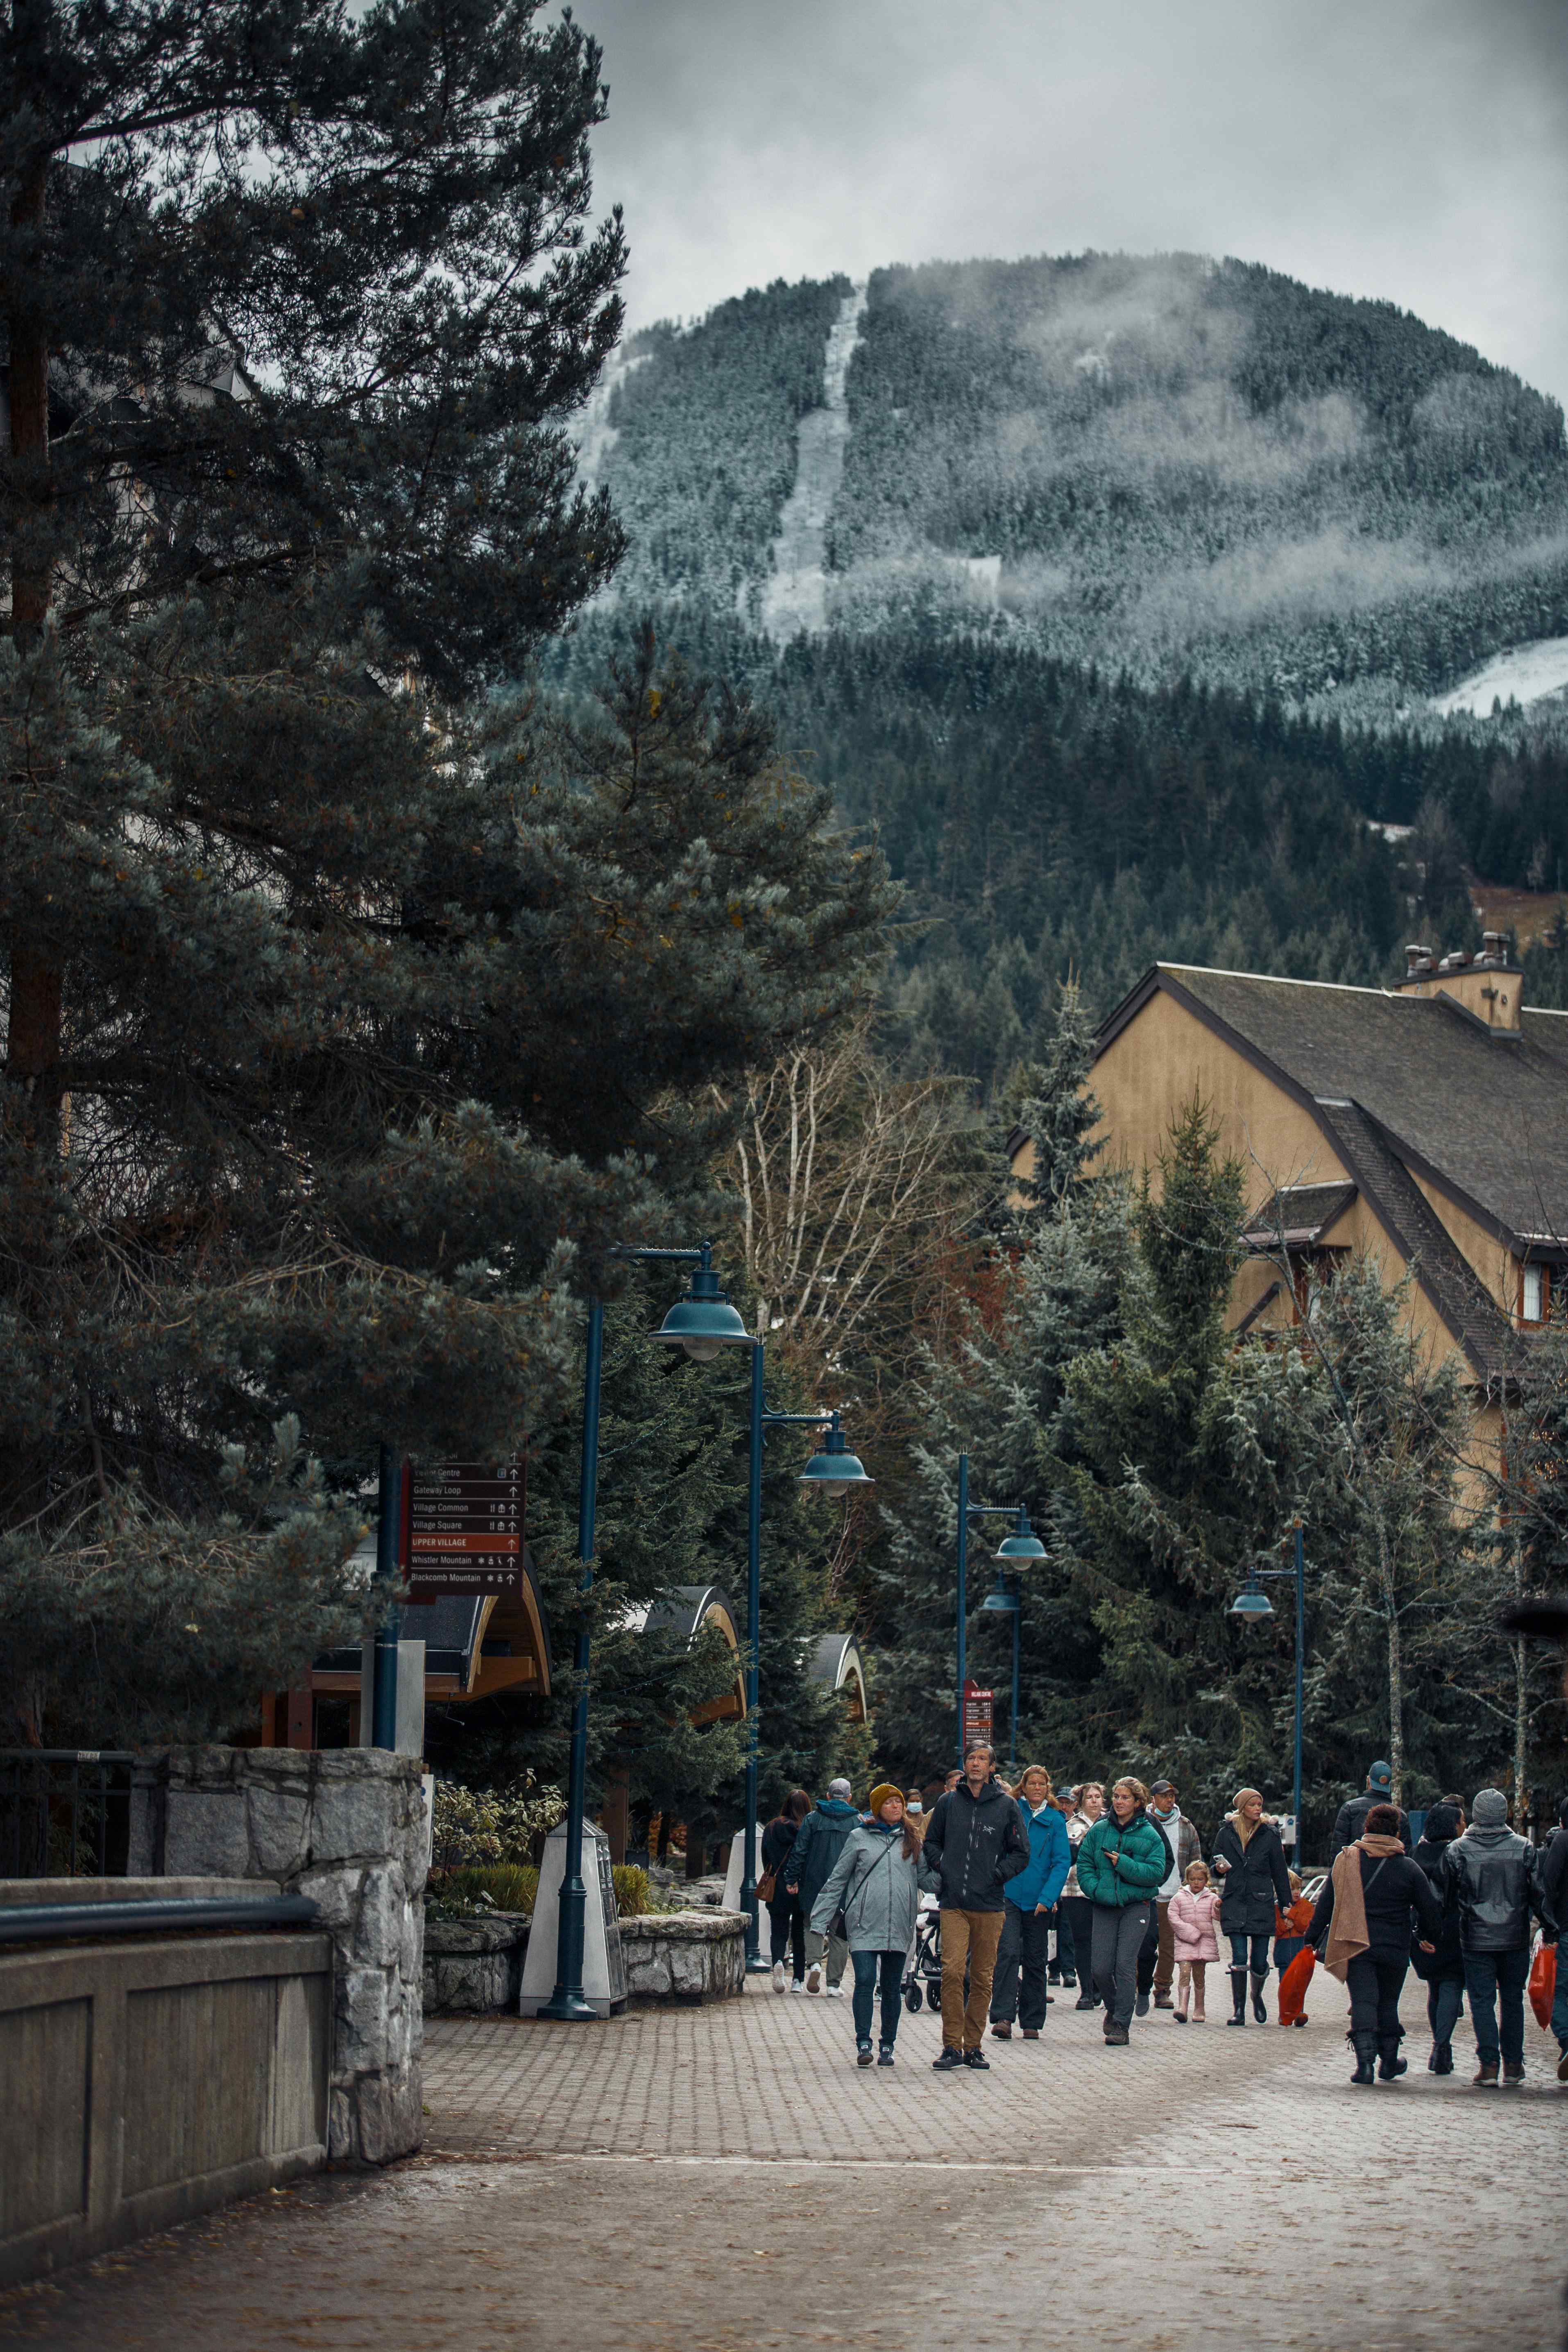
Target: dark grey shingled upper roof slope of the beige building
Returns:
[1482, 1114]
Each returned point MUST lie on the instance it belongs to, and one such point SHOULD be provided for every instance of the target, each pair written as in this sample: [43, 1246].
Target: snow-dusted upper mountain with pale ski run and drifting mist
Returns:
[1151, 462]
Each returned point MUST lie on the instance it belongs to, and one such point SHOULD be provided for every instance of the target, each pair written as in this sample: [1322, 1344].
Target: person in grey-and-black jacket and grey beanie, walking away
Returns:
[1494, 1883]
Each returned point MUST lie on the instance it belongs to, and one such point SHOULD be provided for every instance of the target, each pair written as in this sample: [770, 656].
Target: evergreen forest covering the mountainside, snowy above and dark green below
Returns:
[1245, 530]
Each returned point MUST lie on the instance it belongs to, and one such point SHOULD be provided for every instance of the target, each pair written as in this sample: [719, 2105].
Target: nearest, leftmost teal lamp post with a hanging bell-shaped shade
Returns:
[702, 1323]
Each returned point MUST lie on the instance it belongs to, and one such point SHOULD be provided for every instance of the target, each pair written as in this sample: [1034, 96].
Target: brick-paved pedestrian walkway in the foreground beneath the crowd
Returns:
[728, 2181]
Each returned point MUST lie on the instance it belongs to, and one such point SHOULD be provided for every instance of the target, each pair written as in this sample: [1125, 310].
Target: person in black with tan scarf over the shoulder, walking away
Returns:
[1362, 1925]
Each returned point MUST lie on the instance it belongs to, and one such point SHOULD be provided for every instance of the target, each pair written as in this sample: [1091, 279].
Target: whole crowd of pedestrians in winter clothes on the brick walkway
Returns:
[1111, 1895]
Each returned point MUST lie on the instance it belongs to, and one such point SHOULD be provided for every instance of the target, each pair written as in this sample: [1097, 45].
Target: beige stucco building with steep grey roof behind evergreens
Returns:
[1423, 1125]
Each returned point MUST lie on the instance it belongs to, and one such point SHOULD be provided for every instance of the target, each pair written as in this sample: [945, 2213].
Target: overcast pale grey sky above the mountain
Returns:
[1407, 149]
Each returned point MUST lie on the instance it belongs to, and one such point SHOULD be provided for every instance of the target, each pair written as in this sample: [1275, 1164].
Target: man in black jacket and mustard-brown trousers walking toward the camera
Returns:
[977, 1843]
